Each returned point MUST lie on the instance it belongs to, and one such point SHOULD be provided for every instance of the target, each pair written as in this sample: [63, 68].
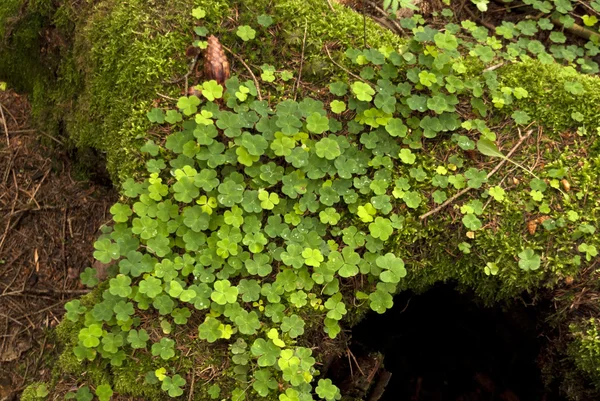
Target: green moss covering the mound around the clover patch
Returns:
[111, 67]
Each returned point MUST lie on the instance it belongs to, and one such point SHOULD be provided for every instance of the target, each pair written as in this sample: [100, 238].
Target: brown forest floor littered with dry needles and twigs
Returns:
[51, 208]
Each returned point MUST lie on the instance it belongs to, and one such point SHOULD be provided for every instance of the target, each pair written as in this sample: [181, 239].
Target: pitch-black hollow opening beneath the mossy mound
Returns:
[445, 346]
